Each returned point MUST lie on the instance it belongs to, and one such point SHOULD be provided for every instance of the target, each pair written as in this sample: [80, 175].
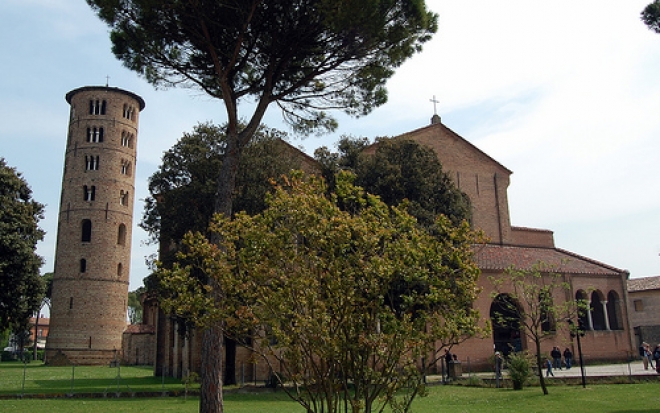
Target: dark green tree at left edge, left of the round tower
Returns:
[21, 288]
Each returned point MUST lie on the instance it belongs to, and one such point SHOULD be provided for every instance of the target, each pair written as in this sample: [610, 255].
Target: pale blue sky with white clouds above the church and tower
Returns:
[565, 94]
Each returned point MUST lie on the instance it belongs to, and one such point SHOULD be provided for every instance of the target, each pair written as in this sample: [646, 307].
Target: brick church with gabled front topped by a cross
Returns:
[485, 181]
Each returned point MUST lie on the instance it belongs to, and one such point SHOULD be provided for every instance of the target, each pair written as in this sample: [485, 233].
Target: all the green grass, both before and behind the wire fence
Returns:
[603, 398]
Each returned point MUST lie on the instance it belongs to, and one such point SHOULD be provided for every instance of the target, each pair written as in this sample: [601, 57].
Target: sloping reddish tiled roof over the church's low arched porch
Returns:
[501, 257]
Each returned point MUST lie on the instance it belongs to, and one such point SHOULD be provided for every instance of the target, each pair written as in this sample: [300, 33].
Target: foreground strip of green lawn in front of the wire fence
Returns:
[610, 398]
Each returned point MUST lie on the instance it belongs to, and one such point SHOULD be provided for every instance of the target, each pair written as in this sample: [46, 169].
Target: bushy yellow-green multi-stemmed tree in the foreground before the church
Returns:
[320, 284]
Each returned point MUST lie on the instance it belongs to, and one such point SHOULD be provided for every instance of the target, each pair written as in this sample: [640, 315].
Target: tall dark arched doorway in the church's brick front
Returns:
[506, 325]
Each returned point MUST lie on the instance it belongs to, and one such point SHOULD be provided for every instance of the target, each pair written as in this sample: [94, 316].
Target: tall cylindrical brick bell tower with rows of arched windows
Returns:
[92, 261]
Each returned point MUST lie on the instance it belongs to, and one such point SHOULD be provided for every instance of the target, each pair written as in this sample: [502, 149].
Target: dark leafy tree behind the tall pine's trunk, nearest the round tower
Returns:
[184, 187]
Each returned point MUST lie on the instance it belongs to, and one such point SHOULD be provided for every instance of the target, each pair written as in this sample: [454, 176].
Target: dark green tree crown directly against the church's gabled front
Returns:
[399, 170]
